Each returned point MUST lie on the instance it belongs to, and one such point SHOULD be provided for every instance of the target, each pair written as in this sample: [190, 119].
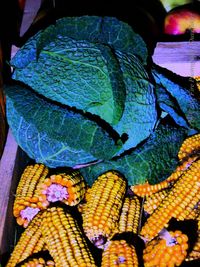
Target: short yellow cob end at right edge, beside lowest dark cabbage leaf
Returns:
[190, 146]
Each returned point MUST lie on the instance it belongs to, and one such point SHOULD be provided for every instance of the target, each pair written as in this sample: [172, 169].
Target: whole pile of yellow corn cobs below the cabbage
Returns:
[69, 224]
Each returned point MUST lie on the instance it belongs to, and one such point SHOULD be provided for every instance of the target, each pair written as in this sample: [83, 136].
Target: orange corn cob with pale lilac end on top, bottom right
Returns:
[167, 250]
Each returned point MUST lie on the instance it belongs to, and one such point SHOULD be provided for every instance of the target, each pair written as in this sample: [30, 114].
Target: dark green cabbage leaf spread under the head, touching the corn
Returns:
[153, 161]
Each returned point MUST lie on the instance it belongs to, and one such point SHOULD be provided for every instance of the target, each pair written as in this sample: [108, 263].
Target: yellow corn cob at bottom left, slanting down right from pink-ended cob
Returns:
[64, 239]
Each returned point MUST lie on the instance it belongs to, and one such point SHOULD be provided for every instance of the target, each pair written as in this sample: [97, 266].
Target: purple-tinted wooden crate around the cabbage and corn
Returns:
[14, 160]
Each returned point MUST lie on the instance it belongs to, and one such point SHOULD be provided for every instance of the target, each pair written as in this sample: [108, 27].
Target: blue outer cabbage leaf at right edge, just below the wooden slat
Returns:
[188, 103]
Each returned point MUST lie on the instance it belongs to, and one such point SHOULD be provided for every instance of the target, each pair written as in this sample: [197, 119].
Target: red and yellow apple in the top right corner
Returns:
[180, 21]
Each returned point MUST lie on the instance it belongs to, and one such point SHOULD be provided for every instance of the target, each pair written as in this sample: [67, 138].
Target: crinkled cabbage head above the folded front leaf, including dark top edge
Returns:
[96, 65]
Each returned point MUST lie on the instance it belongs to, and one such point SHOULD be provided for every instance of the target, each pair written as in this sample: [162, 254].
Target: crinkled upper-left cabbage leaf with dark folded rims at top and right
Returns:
[74, 62]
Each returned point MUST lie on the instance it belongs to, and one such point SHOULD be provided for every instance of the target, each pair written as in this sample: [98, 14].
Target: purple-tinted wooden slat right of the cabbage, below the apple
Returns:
[182, 58]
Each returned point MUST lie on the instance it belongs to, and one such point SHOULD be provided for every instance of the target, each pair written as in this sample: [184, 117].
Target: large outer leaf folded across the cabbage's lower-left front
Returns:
[53, 134]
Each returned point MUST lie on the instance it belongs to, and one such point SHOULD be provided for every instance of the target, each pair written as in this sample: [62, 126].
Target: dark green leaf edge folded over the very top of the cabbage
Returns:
[104, 30]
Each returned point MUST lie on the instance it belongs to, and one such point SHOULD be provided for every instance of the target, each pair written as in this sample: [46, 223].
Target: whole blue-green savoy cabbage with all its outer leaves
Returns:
[82, 97]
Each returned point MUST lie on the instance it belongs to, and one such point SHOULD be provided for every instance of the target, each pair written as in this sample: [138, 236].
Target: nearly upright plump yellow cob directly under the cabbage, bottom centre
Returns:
[102, 210]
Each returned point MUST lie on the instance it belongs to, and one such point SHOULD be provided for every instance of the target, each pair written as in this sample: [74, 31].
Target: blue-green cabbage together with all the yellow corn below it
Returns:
[113, 143]
